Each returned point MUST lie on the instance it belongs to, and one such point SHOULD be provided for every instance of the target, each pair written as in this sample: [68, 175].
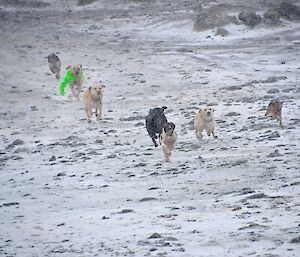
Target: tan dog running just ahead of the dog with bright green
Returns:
[93, 99]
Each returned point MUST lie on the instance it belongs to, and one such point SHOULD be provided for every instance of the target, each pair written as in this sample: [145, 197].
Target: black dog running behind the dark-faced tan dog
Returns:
[155, 121]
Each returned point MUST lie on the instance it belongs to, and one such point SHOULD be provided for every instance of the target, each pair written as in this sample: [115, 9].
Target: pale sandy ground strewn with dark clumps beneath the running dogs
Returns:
[69, 188]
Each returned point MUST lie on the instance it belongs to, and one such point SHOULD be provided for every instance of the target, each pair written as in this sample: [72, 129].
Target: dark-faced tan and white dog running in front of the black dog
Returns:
[168, 138]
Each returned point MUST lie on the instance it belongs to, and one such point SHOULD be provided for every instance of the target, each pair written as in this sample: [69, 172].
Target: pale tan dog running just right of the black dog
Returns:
[205, 120]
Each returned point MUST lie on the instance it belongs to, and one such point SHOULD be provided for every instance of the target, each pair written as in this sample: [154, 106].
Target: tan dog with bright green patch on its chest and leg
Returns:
[73, 77]
